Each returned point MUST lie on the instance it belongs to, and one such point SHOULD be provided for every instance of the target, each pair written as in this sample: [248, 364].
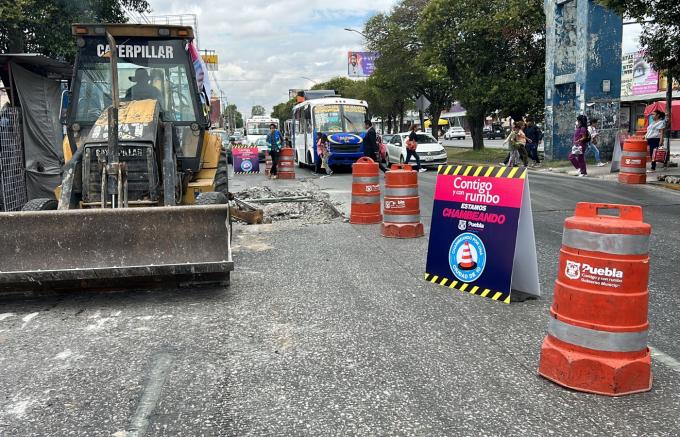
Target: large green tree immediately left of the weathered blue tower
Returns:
[494, 53]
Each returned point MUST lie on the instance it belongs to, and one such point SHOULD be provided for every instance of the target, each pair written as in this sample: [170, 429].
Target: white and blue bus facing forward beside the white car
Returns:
[342, 120]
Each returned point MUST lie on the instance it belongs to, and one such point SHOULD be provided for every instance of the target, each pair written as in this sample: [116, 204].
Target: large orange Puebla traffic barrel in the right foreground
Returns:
[597, 334]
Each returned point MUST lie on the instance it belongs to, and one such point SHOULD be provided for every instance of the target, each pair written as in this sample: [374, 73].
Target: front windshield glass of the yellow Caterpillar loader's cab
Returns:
[147, 69]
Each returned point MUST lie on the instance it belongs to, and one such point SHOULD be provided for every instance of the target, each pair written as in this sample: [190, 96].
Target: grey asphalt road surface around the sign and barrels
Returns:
[329, 329]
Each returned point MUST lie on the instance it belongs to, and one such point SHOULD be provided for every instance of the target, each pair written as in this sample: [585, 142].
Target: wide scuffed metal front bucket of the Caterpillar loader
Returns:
[114, 248]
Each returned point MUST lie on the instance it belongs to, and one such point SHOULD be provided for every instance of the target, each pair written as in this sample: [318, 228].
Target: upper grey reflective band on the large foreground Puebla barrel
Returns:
[616, 244]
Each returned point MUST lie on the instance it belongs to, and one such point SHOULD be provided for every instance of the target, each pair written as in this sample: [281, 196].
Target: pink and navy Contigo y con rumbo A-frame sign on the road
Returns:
[481, 220]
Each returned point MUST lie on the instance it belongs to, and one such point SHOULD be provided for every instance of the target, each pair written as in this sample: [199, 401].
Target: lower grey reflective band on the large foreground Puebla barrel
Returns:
[598, 340]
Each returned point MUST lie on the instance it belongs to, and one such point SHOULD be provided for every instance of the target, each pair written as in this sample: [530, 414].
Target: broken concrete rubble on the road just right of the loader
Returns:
[297, 204]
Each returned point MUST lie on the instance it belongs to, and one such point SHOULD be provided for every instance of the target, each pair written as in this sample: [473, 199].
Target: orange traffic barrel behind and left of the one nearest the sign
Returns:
[365, 193]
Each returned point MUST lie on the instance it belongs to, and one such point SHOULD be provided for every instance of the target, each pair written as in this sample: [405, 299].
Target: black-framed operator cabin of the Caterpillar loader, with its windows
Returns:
[153, 63]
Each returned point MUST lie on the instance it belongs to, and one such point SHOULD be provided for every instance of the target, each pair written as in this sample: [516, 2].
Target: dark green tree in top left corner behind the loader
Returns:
[44, 26]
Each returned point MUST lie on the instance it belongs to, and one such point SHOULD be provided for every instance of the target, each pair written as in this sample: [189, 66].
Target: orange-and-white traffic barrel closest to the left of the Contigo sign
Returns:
[401, 204]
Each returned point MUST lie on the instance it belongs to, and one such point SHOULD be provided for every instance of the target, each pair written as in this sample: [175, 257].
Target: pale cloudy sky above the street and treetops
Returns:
[265, 47]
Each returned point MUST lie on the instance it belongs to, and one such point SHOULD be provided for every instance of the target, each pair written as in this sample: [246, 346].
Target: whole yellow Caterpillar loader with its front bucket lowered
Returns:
[144, 185]
